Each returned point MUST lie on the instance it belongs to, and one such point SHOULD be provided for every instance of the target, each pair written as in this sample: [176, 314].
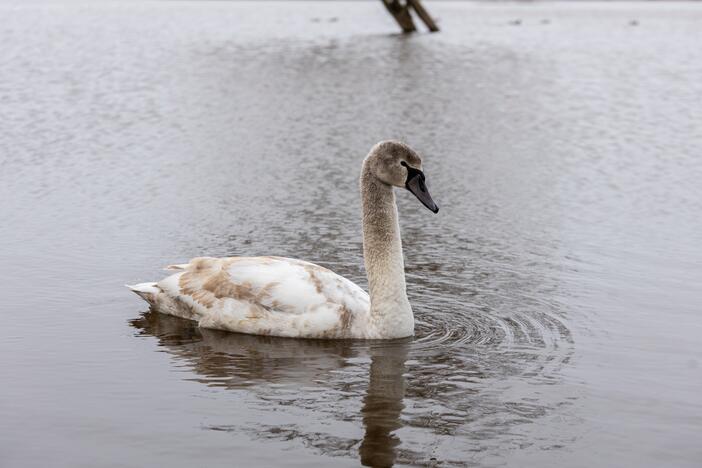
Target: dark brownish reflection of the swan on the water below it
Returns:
[237, 361]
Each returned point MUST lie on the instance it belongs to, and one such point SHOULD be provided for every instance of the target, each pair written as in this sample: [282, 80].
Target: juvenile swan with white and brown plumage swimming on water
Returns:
[285, 297]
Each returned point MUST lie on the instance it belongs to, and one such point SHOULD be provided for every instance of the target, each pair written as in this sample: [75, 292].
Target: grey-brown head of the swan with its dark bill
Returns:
[395, 163]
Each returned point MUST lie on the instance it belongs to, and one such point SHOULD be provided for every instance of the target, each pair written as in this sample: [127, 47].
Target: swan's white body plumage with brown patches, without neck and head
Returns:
[263, 295]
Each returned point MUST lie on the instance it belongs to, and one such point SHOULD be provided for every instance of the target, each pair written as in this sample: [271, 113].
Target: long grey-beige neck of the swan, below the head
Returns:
[390, 313]
